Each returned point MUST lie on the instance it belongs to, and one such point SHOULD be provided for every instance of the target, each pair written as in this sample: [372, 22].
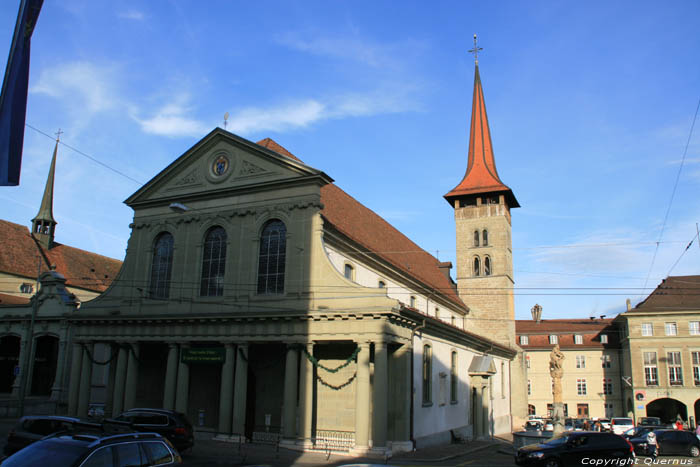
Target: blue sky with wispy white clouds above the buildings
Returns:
[590, 106]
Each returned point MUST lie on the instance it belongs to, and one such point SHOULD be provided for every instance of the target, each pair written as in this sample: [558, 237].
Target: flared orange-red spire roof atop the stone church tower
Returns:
[481, 176]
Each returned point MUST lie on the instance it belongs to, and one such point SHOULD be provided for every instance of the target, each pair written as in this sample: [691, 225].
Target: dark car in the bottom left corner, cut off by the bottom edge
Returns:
[94, 450]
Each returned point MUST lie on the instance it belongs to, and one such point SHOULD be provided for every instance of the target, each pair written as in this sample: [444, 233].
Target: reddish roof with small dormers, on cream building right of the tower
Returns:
[565, 329]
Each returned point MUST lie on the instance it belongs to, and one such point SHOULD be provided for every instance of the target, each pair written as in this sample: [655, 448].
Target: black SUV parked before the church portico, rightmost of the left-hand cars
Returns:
[169, 423]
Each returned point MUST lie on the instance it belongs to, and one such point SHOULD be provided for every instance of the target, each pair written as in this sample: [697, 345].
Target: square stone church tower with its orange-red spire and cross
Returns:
[482, 204]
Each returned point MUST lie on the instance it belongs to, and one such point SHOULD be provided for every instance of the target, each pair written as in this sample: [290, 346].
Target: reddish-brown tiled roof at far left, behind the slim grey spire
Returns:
[82, 269]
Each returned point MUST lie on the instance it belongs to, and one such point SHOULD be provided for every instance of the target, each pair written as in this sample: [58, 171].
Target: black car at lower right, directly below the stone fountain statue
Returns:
[574, 448]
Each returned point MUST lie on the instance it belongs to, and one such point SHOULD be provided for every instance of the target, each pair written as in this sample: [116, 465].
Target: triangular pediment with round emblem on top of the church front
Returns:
[222, 162]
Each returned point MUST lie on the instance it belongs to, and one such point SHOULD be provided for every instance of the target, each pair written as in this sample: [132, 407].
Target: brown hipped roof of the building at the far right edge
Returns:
[675, 293]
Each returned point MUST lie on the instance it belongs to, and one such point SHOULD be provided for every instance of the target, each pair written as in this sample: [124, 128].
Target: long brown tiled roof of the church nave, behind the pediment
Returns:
[364, 226]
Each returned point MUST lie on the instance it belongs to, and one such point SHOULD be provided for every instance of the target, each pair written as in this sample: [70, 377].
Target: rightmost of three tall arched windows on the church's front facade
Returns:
[272, 259]
